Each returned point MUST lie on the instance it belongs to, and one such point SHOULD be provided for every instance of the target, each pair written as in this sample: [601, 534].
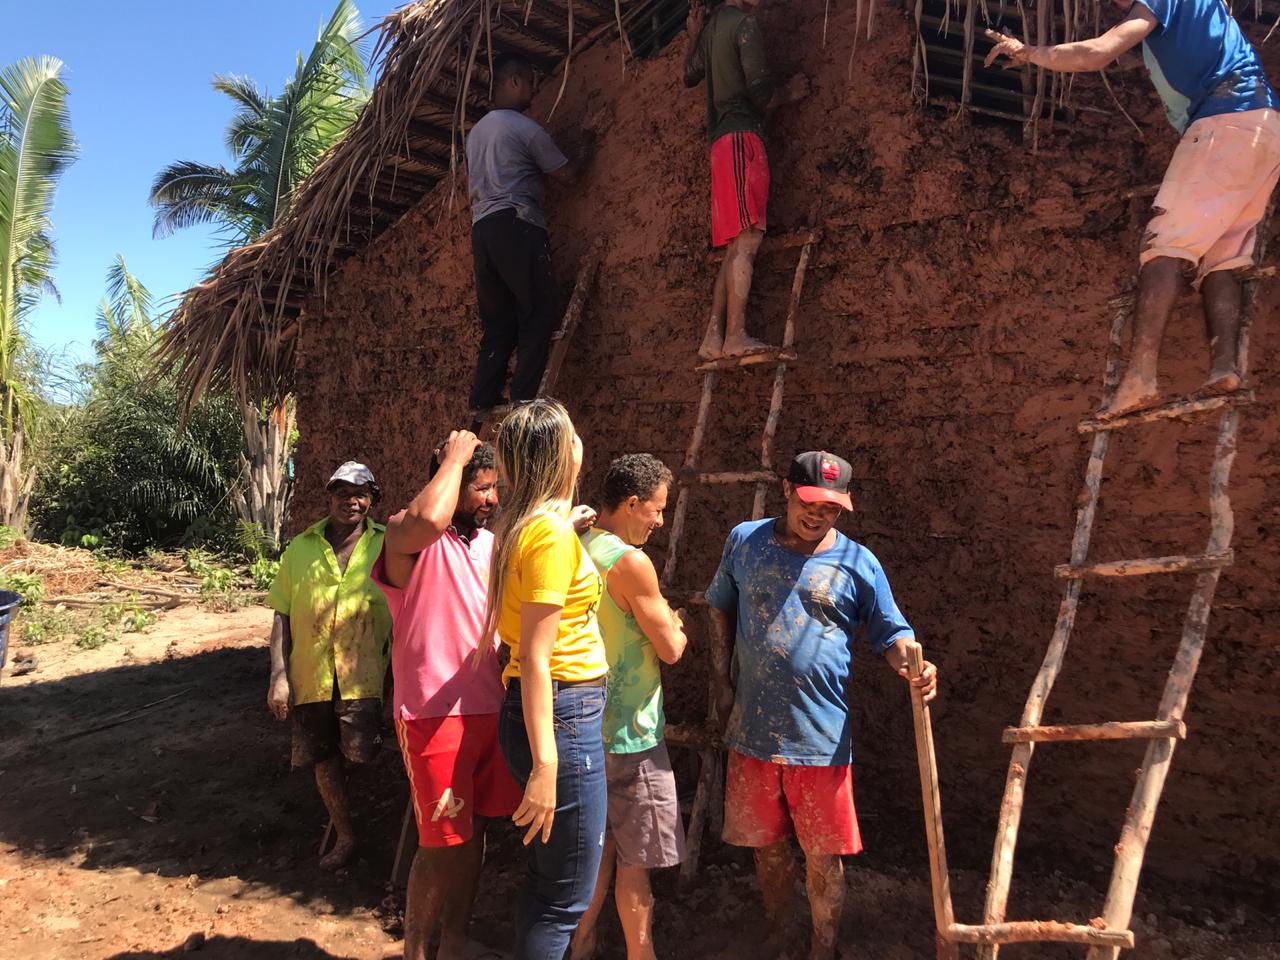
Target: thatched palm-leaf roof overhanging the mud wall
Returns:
[240, 326]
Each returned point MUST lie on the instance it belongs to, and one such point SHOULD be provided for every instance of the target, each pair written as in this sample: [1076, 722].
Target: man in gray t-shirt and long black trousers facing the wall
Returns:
[508, 156]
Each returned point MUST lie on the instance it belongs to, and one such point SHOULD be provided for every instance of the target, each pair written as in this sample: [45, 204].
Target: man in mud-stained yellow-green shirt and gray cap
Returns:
[331, 646]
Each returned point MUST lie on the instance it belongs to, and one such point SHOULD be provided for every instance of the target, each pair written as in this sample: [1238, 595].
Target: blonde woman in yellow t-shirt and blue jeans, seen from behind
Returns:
[543, 596]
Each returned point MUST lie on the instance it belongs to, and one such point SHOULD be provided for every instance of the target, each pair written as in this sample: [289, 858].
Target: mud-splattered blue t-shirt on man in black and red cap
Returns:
[797, 620]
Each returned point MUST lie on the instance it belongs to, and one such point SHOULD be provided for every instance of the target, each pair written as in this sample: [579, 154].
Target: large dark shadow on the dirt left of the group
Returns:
[199, 785]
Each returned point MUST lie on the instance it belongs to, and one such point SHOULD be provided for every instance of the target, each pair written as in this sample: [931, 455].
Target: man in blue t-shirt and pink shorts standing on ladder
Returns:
[1217, 188]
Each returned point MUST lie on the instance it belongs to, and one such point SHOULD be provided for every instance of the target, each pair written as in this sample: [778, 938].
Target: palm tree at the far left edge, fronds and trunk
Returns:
[36, 145]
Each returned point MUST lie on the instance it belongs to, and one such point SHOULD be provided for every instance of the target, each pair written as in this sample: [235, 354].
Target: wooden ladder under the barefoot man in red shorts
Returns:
[706, 739]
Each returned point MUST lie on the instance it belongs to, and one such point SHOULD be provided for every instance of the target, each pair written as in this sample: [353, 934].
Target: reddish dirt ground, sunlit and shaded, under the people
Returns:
[186, 828]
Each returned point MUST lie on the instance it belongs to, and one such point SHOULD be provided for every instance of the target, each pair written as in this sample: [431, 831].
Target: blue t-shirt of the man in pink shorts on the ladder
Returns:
[1201, 63]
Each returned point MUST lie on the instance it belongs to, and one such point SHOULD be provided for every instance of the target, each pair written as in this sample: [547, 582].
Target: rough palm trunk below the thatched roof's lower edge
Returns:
[263, 493]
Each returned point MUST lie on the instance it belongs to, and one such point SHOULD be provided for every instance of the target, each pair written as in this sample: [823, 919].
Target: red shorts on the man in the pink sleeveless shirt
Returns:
[456, 772]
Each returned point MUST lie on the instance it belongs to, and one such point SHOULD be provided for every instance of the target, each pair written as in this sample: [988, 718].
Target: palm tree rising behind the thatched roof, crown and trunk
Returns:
[275, 141]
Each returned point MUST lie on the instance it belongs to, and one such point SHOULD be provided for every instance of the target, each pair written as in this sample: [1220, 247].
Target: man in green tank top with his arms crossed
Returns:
[639, 629]
